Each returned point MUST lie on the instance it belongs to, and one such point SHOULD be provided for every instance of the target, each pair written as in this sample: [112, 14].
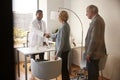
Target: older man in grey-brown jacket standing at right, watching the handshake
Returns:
[94, 44]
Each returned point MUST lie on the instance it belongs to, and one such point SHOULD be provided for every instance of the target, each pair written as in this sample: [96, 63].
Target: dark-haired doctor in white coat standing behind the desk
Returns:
[37, 33]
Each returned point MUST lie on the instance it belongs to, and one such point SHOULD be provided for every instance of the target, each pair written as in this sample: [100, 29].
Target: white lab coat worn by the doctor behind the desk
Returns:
[36, 36]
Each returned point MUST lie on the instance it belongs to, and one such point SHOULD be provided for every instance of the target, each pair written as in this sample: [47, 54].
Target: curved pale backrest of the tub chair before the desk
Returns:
[46, 69]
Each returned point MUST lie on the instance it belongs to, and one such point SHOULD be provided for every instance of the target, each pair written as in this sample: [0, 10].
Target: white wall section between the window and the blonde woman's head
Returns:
[53, 5]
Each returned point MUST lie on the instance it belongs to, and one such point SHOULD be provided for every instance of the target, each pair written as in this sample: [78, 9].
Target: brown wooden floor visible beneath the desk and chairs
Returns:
[30, 77]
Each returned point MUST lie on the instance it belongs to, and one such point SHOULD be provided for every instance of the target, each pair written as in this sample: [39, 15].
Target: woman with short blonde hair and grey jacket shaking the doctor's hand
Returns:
[62, 43]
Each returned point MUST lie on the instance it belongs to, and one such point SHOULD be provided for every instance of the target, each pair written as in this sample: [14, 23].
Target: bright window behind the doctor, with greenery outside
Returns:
[23, 14]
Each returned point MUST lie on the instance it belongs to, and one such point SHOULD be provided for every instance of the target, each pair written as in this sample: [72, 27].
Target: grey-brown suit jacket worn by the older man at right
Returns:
[95, 43]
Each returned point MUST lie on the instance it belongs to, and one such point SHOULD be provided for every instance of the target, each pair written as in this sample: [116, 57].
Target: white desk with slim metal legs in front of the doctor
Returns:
[28, 51]
